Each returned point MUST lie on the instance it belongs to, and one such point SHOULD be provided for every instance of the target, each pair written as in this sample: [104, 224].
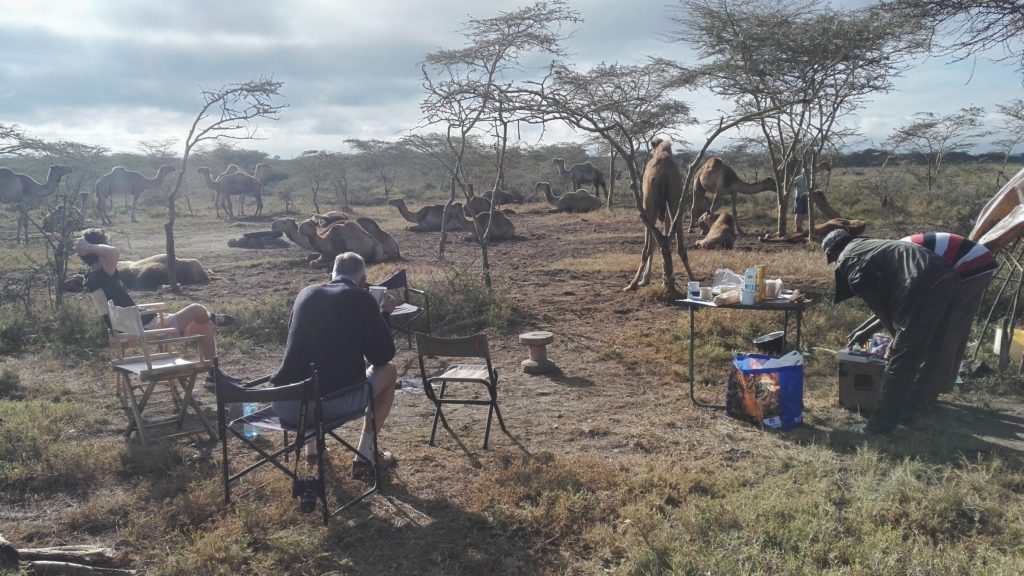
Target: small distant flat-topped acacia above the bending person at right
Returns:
[933, 137]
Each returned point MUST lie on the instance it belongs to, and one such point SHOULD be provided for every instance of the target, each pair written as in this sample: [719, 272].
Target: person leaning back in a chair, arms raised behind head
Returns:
[96, 251]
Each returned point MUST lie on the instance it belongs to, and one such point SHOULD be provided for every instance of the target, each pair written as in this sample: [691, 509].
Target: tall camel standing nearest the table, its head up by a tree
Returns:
[663, 187]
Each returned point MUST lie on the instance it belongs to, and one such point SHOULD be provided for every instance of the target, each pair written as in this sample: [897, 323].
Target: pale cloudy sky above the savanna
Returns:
[115, 73]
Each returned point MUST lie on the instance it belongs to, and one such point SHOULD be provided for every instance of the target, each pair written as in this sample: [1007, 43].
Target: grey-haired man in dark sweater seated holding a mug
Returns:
[338, 326]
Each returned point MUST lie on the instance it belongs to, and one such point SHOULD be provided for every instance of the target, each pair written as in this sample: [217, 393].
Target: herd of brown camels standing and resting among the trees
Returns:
[328, 235]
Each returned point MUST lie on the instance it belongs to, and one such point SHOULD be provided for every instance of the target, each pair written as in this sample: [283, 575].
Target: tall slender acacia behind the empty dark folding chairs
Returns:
[470, 90]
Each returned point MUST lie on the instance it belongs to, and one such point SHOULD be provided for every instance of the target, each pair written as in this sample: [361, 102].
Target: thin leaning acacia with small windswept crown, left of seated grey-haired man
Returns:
[232, 112]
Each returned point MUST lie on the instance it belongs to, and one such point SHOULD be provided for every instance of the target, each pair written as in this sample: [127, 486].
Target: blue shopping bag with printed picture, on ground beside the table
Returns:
[766, 391]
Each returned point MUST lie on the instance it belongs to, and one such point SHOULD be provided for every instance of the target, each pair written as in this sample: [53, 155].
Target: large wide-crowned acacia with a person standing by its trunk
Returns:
[814, 64]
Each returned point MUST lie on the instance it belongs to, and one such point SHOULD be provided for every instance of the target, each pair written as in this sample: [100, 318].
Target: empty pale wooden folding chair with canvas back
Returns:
[153, 366]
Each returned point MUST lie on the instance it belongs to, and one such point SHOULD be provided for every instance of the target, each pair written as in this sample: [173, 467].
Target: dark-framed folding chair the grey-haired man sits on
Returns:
[311, 426]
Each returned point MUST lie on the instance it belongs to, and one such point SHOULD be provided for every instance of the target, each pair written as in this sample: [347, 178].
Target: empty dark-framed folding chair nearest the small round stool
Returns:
[475, 347]
